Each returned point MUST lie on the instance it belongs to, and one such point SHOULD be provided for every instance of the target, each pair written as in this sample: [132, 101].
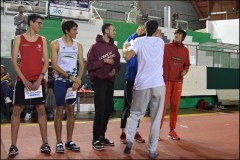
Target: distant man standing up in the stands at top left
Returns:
[20, 20]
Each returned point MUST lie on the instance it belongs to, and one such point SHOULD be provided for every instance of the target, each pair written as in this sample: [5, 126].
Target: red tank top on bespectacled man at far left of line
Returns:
[31, 62]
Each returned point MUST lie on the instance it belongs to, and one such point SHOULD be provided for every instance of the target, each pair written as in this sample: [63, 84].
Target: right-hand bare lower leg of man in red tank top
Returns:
[42, 121]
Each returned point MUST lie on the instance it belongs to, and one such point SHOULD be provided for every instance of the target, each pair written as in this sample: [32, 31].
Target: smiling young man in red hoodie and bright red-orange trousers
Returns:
[175, 65]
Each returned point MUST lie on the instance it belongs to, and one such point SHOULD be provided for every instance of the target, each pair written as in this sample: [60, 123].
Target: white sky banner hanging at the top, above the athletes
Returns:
[70, 8]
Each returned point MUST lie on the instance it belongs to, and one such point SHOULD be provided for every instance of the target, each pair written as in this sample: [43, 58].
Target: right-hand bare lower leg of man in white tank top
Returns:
[70, 121]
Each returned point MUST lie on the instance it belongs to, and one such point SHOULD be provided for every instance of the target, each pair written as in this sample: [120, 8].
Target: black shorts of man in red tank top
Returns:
[19, 98]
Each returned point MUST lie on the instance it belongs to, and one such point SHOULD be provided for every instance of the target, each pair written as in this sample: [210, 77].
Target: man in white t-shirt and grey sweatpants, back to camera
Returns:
[149, 86]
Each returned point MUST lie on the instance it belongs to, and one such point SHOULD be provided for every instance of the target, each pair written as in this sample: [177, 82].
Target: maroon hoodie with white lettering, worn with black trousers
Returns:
[95, 59]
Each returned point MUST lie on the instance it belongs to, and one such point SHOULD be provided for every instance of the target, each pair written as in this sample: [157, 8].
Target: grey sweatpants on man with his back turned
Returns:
[140, 101]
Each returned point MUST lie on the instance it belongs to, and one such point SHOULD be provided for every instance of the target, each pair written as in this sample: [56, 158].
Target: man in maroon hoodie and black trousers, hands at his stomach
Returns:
[103, 63]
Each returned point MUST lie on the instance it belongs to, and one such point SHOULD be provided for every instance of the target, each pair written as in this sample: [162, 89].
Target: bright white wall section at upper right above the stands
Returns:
[226, 30]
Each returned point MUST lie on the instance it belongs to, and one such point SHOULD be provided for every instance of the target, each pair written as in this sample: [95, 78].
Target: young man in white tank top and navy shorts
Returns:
[65, 53]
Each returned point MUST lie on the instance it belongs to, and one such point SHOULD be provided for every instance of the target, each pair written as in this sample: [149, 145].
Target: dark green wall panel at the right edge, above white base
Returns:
[222, 78]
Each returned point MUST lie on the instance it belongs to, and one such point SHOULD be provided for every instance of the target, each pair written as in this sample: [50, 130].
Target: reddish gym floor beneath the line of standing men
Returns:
[204, 135]
